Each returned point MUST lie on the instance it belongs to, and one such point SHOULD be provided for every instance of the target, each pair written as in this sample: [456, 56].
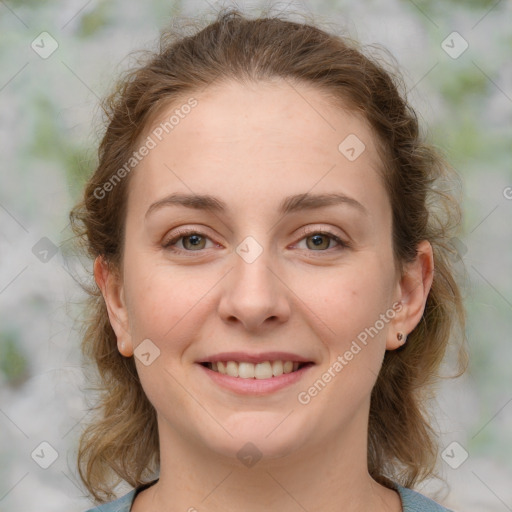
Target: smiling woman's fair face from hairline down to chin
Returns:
[259, 272]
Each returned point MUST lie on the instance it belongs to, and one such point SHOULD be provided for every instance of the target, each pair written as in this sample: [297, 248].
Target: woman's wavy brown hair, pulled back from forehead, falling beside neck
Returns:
[122, 441]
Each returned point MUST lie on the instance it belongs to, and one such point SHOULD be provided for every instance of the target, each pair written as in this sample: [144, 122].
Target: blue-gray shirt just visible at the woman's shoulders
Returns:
[412, 501]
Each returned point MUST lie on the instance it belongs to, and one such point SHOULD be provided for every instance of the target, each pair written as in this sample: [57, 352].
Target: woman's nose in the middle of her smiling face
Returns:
[254, 294]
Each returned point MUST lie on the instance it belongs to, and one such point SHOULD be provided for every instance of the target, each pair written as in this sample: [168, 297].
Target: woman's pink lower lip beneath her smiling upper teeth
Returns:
[255, 386]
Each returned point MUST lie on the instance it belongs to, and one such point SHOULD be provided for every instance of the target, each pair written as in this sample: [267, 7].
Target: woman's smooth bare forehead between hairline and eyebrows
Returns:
[257, 142]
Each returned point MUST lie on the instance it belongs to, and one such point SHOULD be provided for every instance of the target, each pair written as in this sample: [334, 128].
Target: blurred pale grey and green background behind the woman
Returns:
[57, 59]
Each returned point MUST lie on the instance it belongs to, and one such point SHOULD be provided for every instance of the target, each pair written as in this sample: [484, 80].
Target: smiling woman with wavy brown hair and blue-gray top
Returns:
[274, 293]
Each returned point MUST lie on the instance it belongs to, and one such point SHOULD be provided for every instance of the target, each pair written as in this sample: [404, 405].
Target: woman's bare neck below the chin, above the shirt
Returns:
[330, 477]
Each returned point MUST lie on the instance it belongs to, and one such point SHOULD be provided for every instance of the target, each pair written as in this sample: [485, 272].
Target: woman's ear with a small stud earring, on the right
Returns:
[412, 292]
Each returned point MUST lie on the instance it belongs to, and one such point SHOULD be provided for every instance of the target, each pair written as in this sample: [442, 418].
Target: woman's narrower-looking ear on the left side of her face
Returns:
[111, 287]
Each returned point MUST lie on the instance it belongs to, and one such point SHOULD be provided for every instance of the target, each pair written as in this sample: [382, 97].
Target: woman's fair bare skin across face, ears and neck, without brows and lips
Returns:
[251, 146]
